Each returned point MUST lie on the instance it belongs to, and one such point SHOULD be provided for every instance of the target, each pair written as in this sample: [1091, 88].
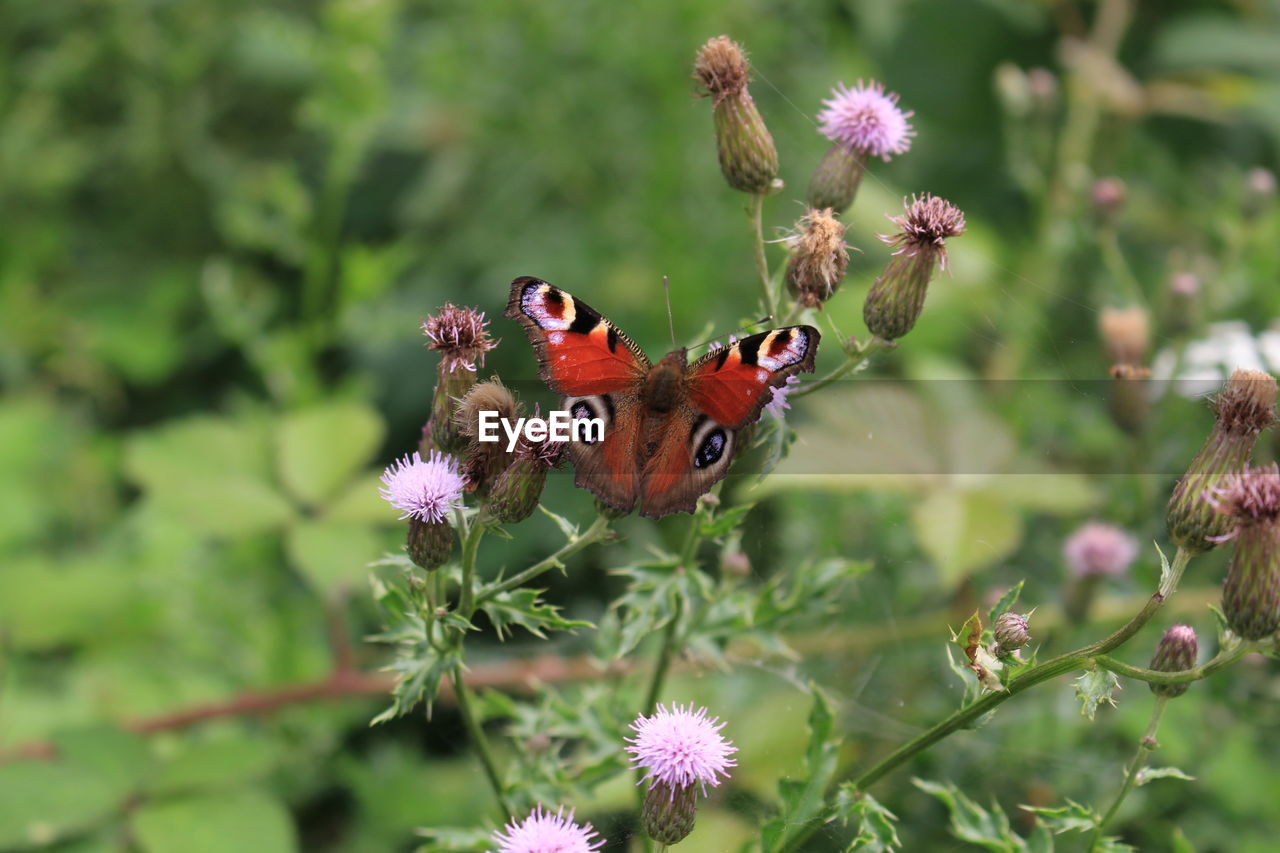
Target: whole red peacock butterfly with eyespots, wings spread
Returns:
[671, 430]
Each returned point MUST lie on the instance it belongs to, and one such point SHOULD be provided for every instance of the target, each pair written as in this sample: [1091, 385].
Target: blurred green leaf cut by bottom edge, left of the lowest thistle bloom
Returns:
[230, 823]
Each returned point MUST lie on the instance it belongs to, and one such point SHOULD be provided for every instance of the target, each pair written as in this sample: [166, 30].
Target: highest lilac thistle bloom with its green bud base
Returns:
[862, 122]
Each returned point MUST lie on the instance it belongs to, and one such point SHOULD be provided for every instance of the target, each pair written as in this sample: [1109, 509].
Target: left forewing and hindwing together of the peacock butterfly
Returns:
[598, 371]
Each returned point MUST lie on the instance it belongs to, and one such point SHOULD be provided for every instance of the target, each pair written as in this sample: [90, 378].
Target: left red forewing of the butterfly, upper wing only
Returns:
[579, 352]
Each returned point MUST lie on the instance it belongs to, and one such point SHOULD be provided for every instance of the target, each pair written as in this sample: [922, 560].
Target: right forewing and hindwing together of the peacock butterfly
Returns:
[728, 389]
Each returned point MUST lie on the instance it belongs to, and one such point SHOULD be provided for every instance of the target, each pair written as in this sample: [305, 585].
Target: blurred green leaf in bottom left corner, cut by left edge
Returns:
[43, 802]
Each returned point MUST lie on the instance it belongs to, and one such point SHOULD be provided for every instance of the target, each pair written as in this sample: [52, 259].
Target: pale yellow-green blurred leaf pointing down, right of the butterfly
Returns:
[962, 532]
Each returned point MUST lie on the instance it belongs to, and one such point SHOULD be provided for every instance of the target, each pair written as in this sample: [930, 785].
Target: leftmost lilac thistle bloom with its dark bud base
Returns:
[427, 492]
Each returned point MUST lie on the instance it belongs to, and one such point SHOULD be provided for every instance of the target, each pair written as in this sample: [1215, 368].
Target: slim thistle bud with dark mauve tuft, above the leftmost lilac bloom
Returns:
[460, 335]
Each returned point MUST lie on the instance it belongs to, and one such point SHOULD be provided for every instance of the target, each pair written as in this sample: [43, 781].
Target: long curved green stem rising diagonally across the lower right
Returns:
[967, 715]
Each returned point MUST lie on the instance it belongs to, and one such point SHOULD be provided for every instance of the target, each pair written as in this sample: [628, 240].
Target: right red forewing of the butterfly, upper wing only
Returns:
[733, 385]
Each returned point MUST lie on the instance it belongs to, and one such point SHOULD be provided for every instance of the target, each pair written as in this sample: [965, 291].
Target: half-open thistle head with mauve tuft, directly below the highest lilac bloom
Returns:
[897, 299]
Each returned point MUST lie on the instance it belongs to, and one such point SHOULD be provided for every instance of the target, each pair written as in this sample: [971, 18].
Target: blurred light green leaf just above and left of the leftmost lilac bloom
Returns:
[323, 448]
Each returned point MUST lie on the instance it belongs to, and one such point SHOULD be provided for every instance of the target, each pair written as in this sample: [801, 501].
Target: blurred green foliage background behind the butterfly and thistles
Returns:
[223, 223]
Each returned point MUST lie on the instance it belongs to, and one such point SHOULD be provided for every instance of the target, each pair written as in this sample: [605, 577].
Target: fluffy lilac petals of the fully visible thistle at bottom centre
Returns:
[682, 747]
